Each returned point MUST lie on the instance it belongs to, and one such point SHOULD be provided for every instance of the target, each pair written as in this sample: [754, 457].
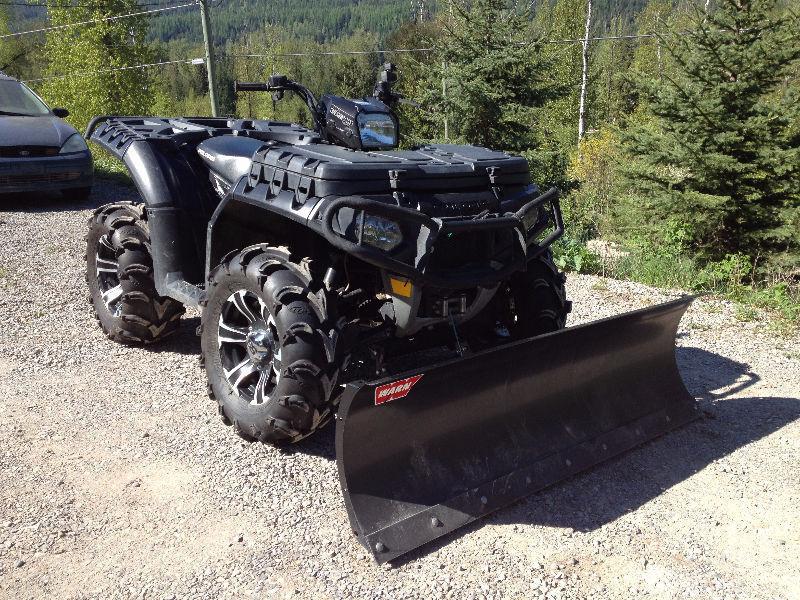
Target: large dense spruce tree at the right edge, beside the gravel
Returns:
[719, 159]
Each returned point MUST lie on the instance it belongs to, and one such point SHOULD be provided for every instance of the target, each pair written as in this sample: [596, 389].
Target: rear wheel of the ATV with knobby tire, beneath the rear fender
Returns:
[119, 273]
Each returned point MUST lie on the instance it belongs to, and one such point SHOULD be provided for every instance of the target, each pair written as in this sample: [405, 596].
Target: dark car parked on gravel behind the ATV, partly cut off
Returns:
[38, 151]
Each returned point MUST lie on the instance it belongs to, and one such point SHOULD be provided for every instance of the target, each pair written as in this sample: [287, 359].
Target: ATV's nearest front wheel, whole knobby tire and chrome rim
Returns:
[266, 346]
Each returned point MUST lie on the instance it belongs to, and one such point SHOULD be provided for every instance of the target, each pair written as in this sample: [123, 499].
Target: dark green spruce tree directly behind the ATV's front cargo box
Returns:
[489, 78]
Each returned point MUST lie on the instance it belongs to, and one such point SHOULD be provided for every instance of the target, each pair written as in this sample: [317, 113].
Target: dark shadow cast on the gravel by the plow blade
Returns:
[623, 484]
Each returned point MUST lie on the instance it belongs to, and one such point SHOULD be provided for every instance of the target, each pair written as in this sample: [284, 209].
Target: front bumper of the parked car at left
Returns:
[53, 173]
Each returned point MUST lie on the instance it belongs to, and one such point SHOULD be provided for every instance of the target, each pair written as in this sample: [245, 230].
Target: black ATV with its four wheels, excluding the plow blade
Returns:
[318, 255]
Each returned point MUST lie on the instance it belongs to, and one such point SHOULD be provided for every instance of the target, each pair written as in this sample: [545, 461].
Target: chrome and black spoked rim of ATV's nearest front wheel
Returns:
[248, 347]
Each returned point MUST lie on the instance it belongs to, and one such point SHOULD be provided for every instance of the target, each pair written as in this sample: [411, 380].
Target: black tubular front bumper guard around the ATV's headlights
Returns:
[454, 253]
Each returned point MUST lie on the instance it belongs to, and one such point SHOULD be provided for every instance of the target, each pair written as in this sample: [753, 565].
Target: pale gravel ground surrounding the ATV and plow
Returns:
[117, 480]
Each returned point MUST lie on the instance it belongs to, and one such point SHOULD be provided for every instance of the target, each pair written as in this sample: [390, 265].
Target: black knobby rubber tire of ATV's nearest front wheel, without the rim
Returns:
[300, 402]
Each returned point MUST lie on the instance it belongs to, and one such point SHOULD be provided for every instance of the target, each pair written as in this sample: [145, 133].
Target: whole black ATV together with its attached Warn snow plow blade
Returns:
[409, 293]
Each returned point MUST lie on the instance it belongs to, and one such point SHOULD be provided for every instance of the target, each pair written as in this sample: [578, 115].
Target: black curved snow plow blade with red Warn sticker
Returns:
[426, 452]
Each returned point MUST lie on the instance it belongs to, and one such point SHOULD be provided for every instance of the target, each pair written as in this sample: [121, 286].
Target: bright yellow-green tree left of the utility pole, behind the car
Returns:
[87, 53]
